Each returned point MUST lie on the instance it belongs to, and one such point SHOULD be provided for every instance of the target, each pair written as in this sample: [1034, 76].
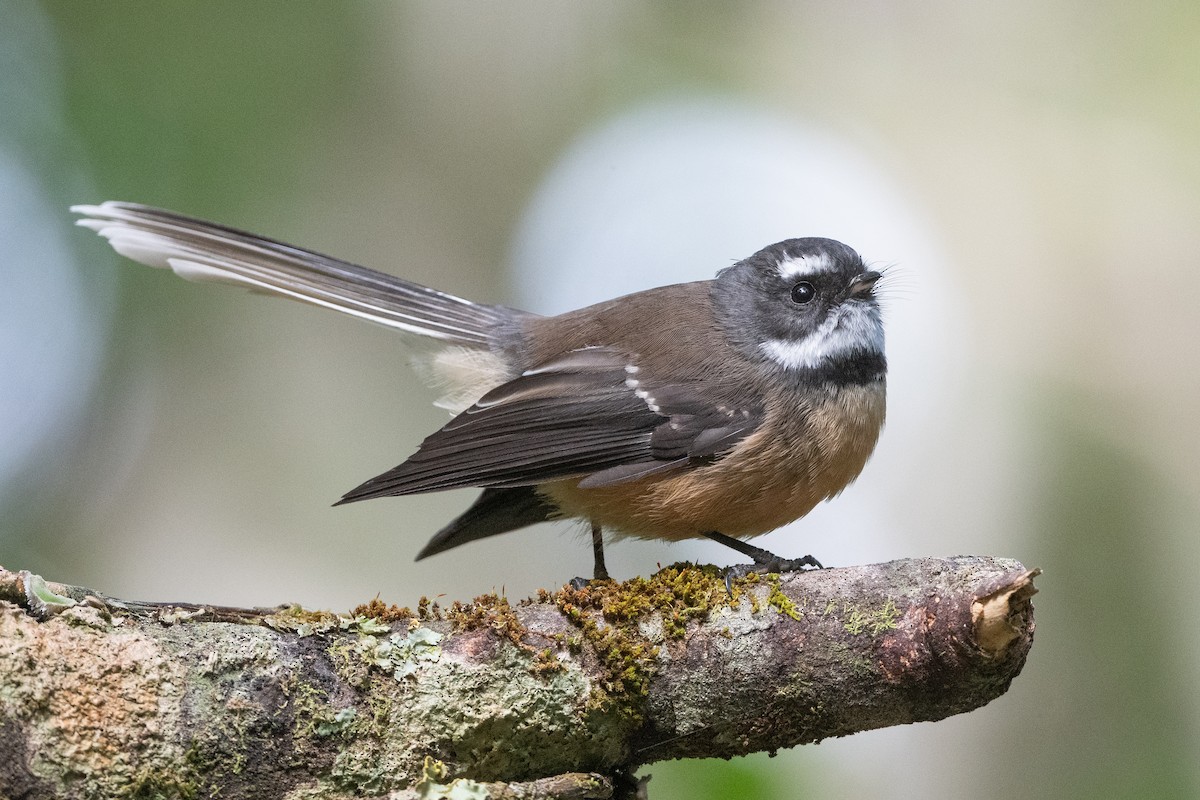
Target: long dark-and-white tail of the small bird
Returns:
[205, 251]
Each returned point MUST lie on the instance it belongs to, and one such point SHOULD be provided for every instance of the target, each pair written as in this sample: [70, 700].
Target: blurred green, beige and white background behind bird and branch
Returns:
[165, 441]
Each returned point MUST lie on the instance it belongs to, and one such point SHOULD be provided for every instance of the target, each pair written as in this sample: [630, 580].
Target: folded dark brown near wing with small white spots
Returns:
[590, 414]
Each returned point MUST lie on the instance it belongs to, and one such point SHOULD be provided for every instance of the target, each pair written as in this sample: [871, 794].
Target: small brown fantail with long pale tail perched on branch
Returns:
[716, 410]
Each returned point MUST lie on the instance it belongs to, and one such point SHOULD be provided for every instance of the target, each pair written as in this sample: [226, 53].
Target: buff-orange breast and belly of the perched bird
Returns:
[809, 448]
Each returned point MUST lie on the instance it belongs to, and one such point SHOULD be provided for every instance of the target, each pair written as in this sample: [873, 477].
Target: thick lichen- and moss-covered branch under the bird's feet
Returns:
[556, 697]
